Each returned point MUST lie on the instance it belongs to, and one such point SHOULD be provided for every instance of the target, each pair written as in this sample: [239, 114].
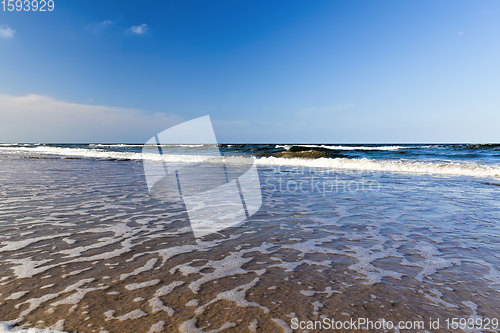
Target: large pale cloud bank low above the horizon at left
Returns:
[35, 118]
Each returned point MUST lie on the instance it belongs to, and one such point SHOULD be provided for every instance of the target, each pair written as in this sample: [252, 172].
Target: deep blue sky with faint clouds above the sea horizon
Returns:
[265, 71]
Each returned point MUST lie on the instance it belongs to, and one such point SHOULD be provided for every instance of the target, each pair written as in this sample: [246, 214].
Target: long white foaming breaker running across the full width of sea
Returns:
[361, 164]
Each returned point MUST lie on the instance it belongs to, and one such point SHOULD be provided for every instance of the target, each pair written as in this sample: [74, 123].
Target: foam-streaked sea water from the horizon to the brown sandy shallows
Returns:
[394, 232]
